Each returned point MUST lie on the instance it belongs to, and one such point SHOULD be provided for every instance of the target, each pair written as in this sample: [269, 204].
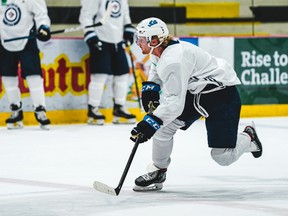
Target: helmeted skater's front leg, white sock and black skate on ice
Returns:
[162, 149]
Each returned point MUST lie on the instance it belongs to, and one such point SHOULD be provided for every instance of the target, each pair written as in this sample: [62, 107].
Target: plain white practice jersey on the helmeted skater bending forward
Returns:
[184, 66]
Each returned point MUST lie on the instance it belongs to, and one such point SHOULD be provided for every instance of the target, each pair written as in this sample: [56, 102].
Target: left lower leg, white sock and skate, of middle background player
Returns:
[95, 92]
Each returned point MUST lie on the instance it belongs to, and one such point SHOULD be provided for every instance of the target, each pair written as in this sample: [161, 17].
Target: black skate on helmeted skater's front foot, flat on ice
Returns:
[152, 181]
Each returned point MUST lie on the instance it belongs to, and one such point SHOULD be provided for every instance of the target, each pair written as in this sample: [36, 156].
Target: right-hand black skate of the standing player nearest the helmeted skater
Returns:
[122, 116]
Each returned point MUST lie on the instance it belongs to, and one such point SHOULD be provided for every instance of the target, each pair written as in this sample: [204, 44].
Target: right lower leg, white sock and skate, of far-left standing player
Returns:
[37, 94]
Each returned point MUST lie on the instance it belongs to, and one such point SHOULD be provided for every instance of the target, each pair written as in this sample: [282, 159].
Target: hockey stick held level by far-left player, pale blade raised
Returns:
[68, 30]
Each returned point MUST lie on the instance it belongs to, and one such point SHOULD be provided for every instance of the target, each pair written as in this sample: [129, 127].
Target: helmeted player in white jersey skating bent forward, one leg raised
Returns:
[194, 84]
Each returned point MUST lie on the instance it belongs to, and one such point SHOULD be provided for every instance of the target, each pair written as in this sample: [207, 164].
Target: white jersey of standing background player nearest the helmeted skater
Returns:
[112, 31]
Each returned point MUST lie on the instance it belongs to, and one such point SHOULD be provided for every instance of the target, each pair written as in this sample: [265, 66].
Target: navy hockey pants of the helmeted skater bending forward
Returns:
[223, 107]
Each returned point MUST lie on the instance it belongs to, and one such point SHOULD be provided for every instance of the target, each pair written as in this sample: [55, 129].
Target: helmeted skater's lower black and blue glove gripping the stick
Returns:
[146, 128]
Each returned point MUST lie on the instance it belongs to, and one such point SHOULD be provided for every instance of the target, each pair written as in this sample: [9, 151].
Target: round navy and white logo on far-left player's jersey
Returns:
[12, 15]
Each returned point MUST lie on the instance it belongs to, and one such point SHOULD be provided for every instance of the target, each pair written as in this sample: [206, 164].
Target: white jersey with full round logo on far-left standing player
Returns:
[17, 19]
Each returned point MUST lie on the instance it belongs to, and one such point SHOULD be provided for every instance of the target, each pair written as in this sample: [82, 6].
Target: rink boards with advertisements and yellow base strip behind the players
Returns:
[261, 65]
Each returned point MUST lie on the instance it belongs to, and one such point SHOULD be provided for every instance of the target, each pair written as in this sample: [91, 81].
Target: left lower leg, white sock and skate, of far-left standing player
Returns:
[14, 98]
